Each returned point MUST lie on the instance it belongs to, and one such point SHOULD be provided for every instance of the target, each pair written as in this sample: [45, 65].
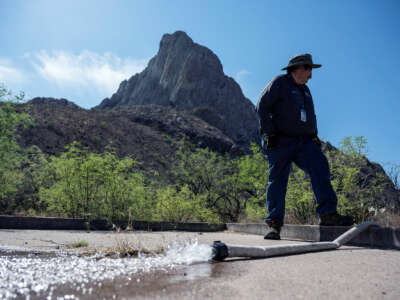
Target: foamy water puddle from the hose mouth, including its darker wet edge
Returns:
[39, 275]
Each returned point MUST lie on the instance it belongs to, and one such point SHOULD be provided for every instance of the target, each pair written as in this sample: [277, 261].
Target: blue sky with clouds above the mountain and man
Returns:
[82, 50]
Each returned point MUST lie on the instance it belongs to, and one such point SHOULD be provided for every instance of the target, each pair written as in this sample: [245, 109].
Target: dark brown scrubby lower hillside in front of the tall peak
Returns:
[146, 133]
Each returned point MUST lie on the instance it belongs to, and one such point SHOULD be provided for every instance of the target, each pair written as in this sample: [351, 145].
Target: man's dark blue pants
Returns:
[308, 156]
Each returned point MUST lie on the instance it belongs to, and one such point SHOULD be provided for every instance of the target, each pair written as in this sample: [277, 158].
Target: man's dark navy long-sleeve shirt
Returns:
[279, 109]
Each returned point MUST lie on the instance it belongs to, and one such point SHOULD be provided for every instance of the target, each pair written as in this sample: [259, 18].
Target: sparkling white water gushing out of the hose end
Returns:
[20, 276]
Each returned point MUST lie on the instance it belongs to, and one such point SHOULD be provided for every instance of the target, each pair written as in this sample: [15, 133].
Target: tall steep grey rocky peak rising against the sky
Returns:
[189, 77]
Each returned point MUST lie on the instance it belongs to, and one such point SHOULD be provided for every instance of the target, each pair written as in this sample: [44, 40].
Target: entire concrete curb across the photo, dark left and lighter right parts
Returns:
[373, 237]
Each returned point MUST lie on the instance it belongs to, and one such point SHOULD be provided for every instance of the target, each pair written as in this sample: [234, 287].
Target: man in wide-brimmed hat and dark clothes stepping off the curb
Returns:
[289, 133]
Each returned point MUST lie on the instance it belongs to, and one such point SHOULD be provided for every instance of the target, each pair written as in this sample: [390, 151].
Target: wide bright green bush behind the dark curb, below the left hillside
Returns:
[91, 185]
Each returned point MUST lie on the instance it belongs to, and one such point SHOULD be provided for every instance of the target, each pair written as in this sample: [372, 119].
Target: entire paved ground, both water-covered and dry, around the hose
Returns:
[37, 264]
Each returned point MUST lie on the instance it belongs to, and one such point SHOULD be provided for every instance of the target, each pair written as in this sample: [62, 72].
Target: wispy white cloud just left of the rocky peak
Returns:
[86, 70]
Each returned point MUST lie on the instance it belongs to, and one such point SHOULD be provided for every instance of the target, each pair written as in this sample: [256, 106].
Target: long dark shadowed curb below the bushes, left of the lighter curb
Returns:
[13, 222]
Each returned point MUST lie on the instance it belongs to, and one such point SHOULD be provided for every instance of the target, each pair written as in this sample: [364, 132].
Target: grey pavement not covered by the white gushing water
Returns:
[346, 273]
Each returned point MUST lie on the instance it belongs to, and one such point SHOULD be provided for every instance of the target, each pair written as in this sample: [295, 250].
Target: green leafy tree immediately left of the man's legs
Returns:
[224, 184]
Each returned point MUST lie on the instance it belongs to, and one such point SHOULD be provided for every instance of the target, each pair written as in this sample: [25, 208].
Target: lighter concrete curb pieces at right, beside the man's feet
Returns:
[373, 237]
